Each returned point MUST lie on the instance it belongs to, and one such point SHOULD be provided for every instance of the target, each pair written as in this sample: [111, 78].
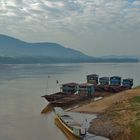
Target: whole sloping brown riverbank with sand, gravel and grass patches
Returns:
[118, 115]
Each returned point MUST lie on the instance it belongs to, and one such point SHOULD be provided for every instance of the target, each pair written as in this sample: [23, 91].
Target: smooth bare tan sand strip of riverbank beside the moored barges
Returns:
[101, 105]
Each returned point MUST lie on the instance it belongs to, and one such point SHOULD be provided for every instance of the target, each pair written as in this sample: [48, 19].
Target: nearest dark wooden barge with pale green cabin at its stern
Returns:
[84, 91]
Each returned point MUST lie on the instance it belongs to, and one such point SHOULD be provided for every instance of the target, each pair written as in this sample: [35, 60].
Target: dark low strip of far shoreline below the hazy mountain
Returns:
[56, 60]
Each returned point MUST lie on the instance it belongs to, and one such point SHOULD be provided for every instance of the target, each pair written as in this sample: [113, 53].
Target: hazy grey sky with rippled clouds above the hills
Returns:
[95, 27]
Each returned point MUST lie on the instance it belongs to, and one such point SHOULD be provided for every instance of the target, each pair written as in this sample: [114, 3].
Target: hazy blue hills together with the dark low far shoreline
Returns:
[13, 50]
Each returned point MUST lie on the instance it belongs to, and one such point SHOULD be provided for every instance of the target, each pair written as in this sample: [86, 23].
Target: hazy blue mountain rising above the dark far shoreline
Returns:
[12, 47]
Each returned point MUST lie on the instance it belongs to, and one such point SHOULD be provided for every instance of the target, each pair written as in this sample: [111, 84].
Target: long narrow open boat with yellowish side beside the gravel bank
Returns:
[68, 124]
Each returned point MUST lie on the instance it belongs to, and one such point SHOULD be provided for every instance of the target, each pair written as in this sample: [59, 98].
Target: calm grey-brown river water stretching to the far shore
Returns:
[21, 88]
